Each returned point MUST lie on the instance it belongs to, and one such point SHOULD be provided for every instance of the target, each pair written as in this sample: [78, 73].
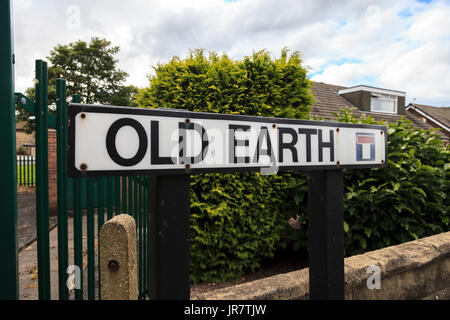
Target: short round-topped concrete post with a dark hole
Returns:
[118, 259]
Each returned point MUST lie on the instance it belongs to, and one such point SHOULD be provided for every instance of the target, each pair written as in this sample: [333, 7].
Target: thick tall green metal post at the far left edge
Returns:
[9, 288]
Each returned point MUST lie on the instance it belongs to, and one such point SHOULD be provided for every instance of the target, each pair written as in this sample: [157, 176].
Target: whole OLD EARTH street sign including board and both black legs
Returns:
[112, 141]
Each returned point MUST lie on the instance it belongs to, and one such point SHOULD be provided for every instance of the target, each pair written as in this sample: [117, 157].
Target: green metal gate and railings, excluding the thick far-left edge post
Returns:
[89, 202]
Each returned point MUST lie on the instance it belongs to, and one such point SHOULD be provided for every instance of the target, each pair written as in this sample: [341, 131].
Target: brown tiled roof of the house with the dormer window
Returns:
[328, 102]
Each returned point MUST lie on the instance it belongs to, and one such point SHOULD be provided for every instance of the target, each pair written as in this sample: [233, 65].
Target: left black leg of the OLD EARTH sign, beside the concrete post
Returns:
[169, 243]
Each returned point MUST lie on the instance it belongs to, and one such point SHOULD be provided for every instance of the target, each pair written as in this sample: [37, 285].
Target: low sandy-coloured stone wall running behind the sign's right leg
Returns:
[414, 270]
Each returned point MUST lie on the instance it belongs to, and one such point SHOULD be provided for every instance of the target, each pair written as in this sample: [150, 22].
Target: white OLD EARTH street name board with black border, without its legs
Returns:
[106, 141]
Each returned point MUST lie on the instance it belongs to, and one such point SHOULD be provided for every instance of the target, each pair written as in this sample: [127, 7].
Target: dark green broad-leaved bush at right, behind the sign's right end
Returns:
[403, 202]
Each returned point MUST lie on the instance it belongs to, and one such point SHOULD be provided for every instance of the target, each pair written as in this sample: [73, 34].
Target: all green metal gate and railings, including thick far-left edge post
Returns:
[85, 203]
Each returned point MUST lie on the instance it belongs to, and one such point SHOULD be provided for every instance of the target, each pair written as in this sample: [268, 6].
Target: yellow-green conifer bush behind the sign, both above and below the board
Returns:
[236, 219]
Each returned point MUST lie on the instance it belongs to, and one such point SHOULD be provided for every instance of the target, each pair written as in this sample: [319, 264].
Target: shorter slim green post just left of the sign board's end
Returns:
[61, 131]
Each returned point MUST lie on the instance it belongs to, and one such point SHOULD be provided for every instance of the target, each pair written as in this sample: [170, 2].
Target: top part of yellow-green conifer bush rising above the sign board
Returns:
[257, 85]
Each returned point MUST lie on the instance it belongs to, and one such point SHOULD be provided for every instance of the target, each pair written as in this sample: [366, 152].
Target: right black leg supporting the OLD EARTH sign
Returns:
[326, 235]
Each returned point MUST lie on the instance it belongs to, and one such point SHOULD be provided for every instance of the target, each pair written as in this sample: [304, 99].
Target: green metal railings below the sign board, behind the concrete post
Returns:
[105, 198]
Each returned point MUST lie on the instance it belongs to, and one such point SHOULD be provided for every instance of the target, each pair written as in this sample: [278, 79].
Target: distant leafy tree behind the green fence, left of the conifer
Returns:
[90, 70]
